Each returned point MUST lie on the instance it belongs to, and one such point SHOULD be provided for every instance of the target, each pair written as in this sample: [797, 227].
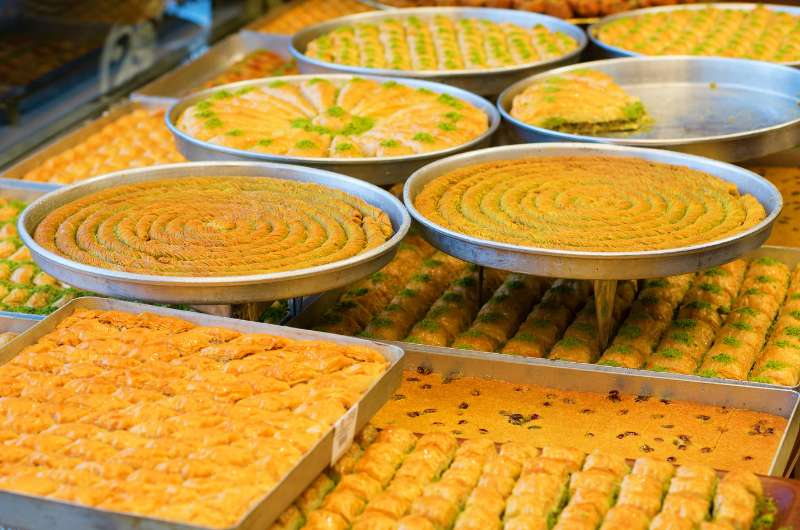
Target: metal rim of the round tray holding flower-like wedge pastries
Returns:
[492, 115]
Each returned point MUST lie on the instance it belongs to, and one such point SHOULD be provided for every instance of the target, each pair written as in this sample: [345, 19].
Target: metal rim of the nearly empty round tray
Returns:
[504, 101]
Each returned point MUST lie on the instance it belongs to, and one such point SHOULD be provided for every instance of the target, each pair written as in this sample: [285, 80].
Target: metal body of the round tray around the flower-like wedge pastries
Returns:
[381, 171]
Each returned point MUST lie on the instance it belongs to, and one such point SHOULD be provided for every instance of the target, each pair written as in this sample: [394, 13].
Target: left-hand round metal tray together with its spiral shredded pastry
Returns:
[214, 233]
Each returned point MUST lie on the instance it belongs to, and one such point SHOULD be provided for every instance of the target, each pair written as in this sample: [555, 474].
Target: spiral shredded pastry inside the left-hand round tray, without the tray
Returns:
[213, 226]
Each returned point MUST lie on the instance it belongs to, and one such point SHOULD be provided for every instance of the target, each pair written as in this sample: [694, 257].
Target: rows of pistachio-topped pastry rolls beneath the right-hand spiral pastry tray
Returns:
[735, 321]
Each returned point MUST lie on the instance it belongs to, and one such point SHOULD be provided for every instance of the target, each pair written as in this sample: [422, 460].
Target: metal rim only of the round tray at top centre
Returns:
[512, 15]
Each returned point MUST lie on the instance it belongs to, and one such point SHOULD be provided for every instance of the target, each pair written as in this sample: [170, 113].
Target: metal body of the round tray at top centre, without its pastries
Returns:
[487, 82]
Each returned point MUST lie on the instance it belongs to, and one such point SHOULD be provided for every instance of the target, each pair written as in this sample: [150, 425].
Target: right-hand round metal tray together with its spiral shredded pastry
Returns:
[591, 211]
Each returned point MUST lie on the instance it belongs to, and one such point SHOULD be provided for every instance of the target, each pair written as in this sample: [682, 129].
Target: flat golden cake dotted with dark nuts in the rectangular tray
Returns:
[627, 425]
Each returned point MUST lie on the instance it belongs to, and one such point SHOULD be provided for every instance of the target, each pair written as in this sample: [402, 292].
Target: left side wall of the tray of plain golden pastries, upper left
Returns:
[75, 136]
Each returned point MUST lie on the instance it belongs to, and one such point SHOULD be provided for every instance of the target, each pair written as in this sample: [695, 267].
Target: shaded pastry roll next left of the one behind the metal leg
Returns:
[546, 323]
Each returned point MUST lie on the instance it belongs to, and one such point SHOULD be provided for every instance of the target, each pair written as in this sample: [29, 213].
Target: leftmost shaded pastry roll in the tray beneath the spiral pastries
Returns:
[367, 297]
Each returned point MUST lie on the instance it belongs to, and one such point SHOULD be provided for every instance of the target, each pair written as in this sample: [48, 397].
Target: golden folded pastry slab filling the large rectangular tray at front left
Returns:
[159, 417]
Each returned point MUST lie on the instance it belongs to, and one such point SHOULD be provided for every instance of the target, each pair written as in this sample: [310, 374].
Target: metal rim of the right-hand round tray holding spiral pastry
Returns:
[665, 157]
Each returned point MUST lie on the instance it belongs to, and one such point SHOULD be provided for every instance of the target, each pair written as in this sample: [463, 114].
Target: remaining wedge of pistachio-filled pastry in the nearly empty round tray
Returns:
[586, 102]
